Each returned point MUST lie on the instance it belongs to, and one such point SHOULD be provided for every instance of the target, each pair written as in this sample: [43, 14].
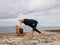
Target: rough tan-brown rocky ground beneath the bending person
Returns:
[50, 38]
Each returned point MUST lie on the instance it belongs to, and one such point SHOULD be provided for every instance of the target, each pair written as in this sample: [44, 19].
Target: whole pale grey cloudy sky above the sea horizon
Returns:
[47, 12]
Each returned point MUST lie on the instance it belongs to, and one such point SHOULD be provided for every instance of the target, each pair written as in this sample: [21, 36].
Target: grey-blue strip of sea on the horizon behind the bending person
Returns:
[25, 28]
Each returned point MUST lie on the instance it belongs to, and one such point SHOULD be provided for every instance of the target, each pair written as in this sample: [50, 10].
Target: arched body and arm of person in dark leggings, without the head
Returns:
[30, 22]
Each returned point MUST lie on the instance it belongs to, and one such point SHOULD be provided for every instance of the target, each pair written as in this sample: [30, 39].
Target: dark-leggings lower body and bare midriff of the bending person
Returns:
[32, 23]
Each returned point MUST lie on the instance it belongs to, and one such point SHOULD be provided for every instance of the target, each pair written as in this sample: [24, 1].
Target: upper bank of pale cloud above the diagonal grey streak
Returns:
[12, 8]
